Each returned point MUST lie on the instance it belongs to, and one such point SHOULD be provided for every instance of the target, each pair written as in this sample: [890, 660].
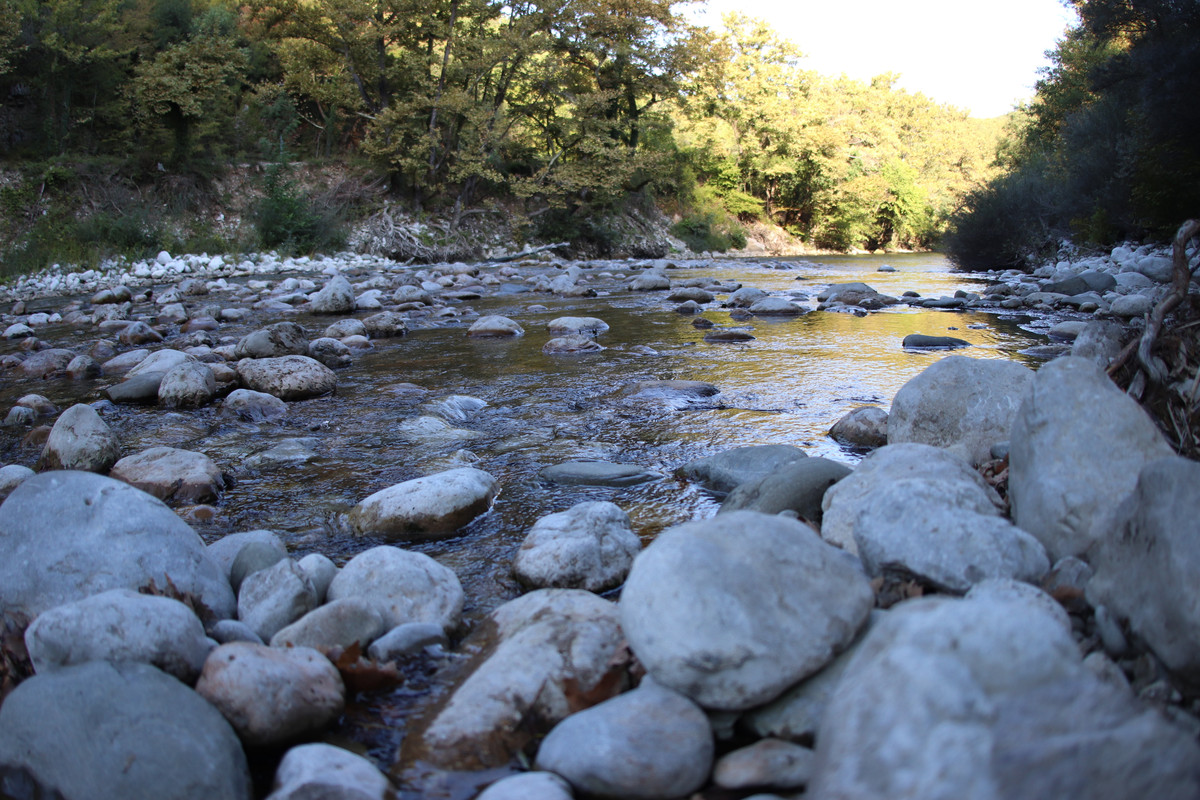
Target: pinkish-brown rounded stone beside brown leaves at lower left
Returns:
[272, 695]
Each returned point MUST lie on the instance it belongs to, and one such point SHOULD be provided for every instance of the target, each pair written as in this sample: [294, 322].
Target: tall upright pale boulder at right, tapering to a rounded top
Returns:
[1078, 444]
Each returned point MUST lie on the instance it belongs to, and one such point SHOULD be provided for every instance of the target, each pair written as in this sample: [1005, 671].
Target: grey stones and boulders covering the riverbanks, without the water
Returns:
[899, 629]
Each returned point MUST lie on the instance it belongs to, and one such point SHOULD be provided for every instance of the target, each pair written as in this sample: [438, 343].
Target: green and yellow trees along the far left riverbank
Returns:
[562, 111]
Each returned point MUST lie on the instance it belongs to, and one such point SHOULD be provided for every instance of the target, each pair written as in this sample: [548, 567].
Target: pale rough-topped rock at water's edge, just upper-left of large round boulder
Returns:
[590, 546]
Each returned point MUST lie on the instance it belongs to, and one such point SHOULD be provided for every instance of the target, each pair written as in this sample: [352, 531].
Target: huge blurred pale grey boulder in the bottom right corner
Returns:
[988, 697]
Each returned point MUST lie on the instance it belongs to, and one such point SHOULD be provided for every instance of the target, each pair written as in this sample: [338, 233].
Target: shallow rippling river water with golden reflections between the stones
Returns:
[788, 386]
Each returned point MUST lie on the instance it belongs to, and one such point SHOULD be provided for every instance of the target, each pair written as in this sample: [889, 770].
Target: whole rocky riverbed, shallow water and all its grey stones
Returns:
[256, 543]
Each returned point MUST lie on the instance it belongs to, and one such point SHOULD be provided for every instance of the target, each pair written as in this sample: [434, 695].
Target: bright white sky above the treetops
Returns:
[982, 57]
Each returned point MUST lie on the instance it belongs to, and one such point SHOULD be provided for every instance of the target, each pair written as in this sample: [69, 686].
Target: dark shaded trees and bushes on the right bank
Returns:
[1108, 151]
